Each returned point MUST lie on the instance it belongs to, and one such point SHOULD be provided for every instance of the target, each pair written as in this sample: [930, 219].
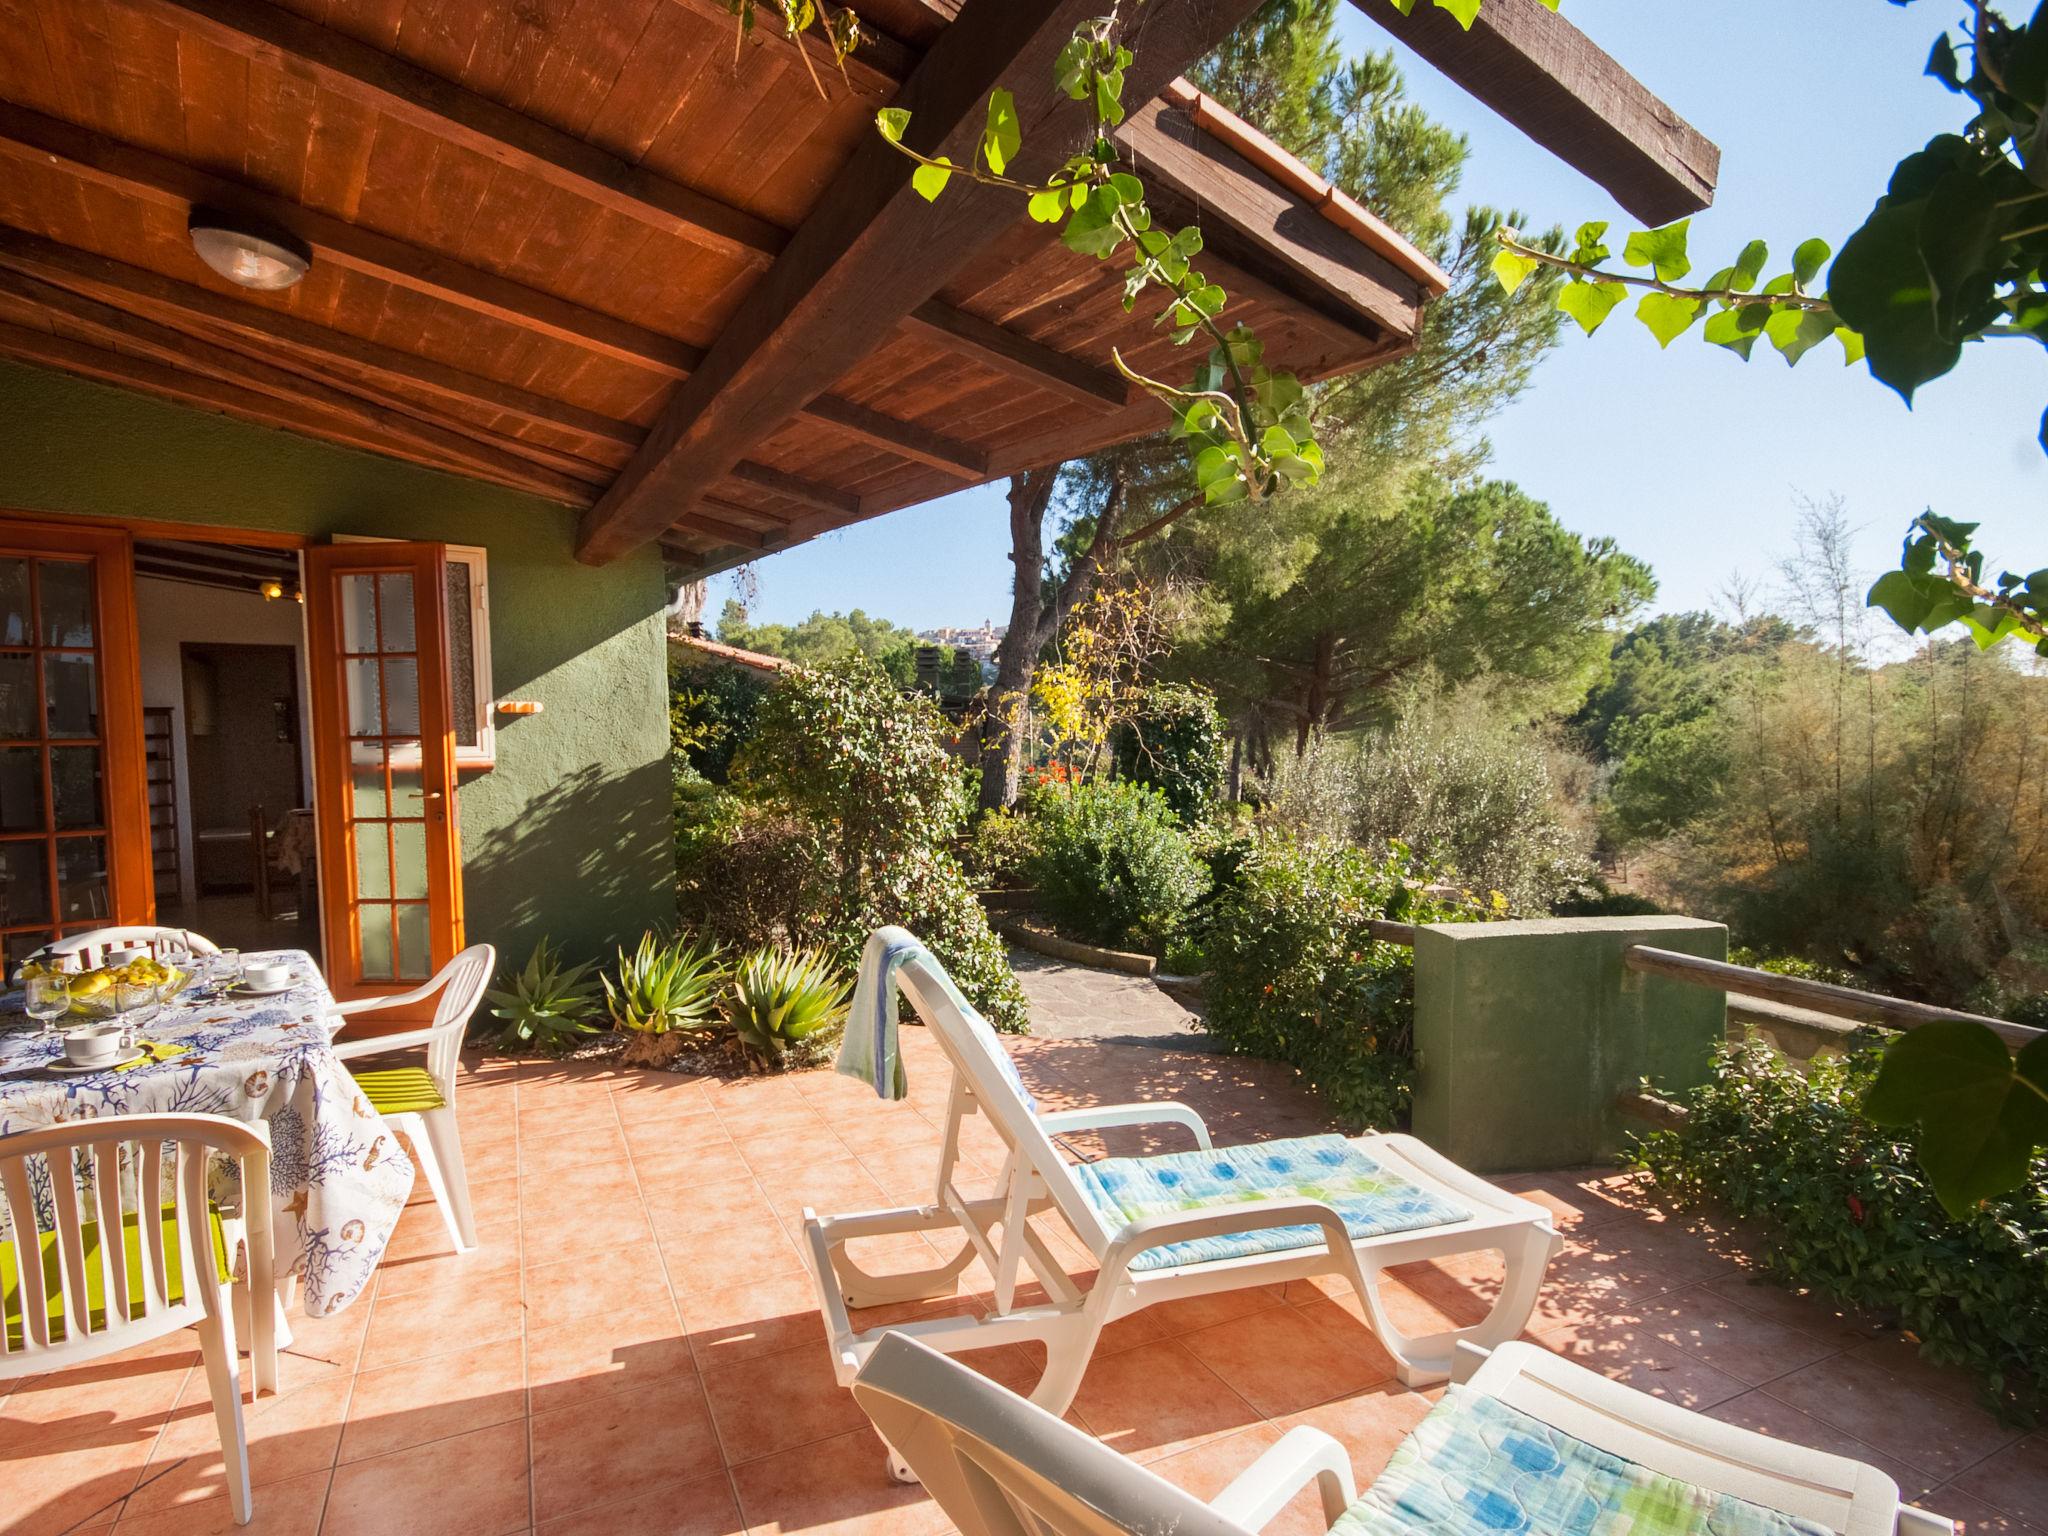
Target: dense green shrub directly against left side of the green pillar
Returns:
[1293, 972]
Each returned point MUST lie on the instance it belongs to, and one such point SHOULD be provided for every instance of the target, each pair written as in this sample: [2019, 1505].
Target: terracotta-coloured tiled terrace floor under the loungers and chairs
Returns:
[634, 1349]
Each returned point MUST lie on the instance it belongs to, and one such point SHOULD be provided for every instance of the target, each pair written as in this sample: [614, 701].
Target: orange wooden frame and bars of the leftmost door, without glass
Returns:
[124, 802]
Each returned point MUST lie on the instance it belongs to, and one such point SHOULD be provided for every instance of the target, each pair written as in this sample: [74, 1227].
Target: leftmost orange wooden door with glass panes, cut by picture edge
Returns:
[75, 849]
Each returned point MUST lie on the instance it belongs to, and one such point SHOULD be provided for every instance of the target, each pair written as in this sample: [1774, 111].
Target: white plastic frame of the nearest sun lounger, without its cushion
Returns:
[1005, 1467]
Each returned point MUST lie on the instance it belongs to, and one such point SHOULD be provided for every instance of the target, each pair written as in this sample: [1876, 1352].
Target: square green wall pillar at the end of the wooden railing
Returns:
[1529, 1031]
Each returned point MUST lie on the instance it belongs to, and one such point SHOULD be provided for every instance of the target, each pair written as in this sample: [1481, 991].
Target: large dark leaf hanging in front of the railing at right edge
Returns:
[1981, 1111]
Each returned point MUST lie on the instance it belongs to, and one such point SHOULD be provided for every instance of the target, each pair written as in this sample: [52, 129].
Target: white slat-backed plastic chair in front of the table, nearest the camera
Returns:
[169, 1271]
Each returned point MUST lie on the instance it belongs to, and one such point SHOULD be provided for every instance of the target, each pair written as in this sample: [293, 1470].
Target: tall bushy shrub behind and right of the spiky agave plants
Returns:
[865, 775]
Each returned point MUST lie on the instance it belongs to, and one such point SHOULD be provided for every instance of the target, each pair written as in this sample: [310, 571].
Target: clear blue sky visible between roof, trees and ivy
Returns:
[1689, 458]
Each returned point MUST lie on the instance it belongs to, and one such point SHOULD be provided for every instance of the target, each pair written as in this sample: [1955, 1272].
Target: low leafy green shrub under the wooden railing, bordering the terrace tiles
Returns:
[1844, 1207]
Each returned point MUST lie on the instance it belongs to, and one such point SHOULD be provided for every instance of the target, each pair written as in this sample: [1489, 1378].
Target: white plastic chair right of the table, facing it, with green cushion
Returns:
[421, 1101]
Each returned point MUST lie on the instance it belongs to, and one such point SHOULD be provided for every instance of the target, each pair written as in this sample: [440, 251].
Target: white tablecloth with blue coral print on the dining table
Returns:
[339, 1179]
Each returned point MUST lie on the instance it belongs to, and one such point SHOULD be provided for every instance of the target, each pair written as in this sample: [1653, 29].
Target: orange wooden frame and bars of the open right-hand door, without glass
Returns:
[337, 746]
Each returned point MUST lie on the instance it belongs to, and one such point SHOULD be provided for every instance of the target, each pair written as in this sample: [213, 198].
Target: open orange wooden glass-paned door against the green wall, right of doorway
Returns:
[384, 763]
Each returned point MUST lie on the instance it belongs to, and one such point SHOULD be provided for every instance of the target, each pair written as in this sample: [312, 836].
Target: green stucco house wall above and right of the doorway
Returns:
[570, 833]
